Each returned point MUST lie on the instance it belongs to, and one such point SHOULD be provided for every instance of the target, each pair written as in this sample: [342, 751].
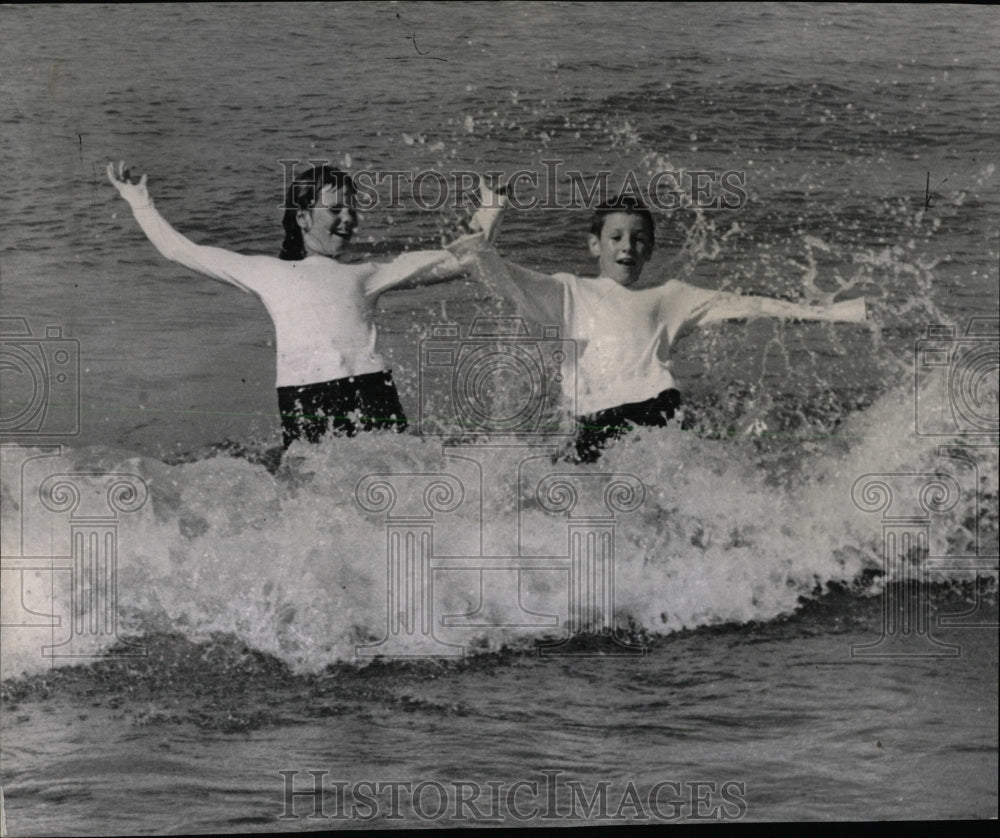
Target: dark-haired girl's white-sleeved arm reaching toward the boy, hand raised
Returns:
[455, 260]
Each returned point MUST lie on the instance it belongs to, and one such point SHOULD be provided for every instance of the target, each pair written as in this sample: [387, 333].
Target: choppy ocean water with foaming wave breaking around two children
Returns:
[790, 600]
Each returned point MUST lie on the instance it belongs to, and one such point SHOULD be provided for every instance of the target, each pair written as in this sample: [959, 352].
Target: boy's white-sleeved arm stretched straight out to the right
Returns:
[691, 307]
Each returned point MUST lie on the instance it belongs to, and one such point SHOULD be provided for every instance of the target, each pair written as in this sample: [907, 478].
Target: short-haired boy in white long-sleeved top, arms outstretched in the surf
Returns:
[624, 334]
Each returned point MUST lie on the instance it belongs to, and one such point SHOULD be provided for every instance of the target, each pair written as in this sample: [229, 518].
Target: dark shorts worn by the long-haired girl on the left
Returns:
[341, 407]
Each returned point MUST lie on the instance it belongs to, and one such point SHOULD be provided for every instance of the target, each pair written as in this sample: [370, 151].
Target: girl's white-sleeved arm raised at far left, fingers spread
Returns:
[211, 261]
